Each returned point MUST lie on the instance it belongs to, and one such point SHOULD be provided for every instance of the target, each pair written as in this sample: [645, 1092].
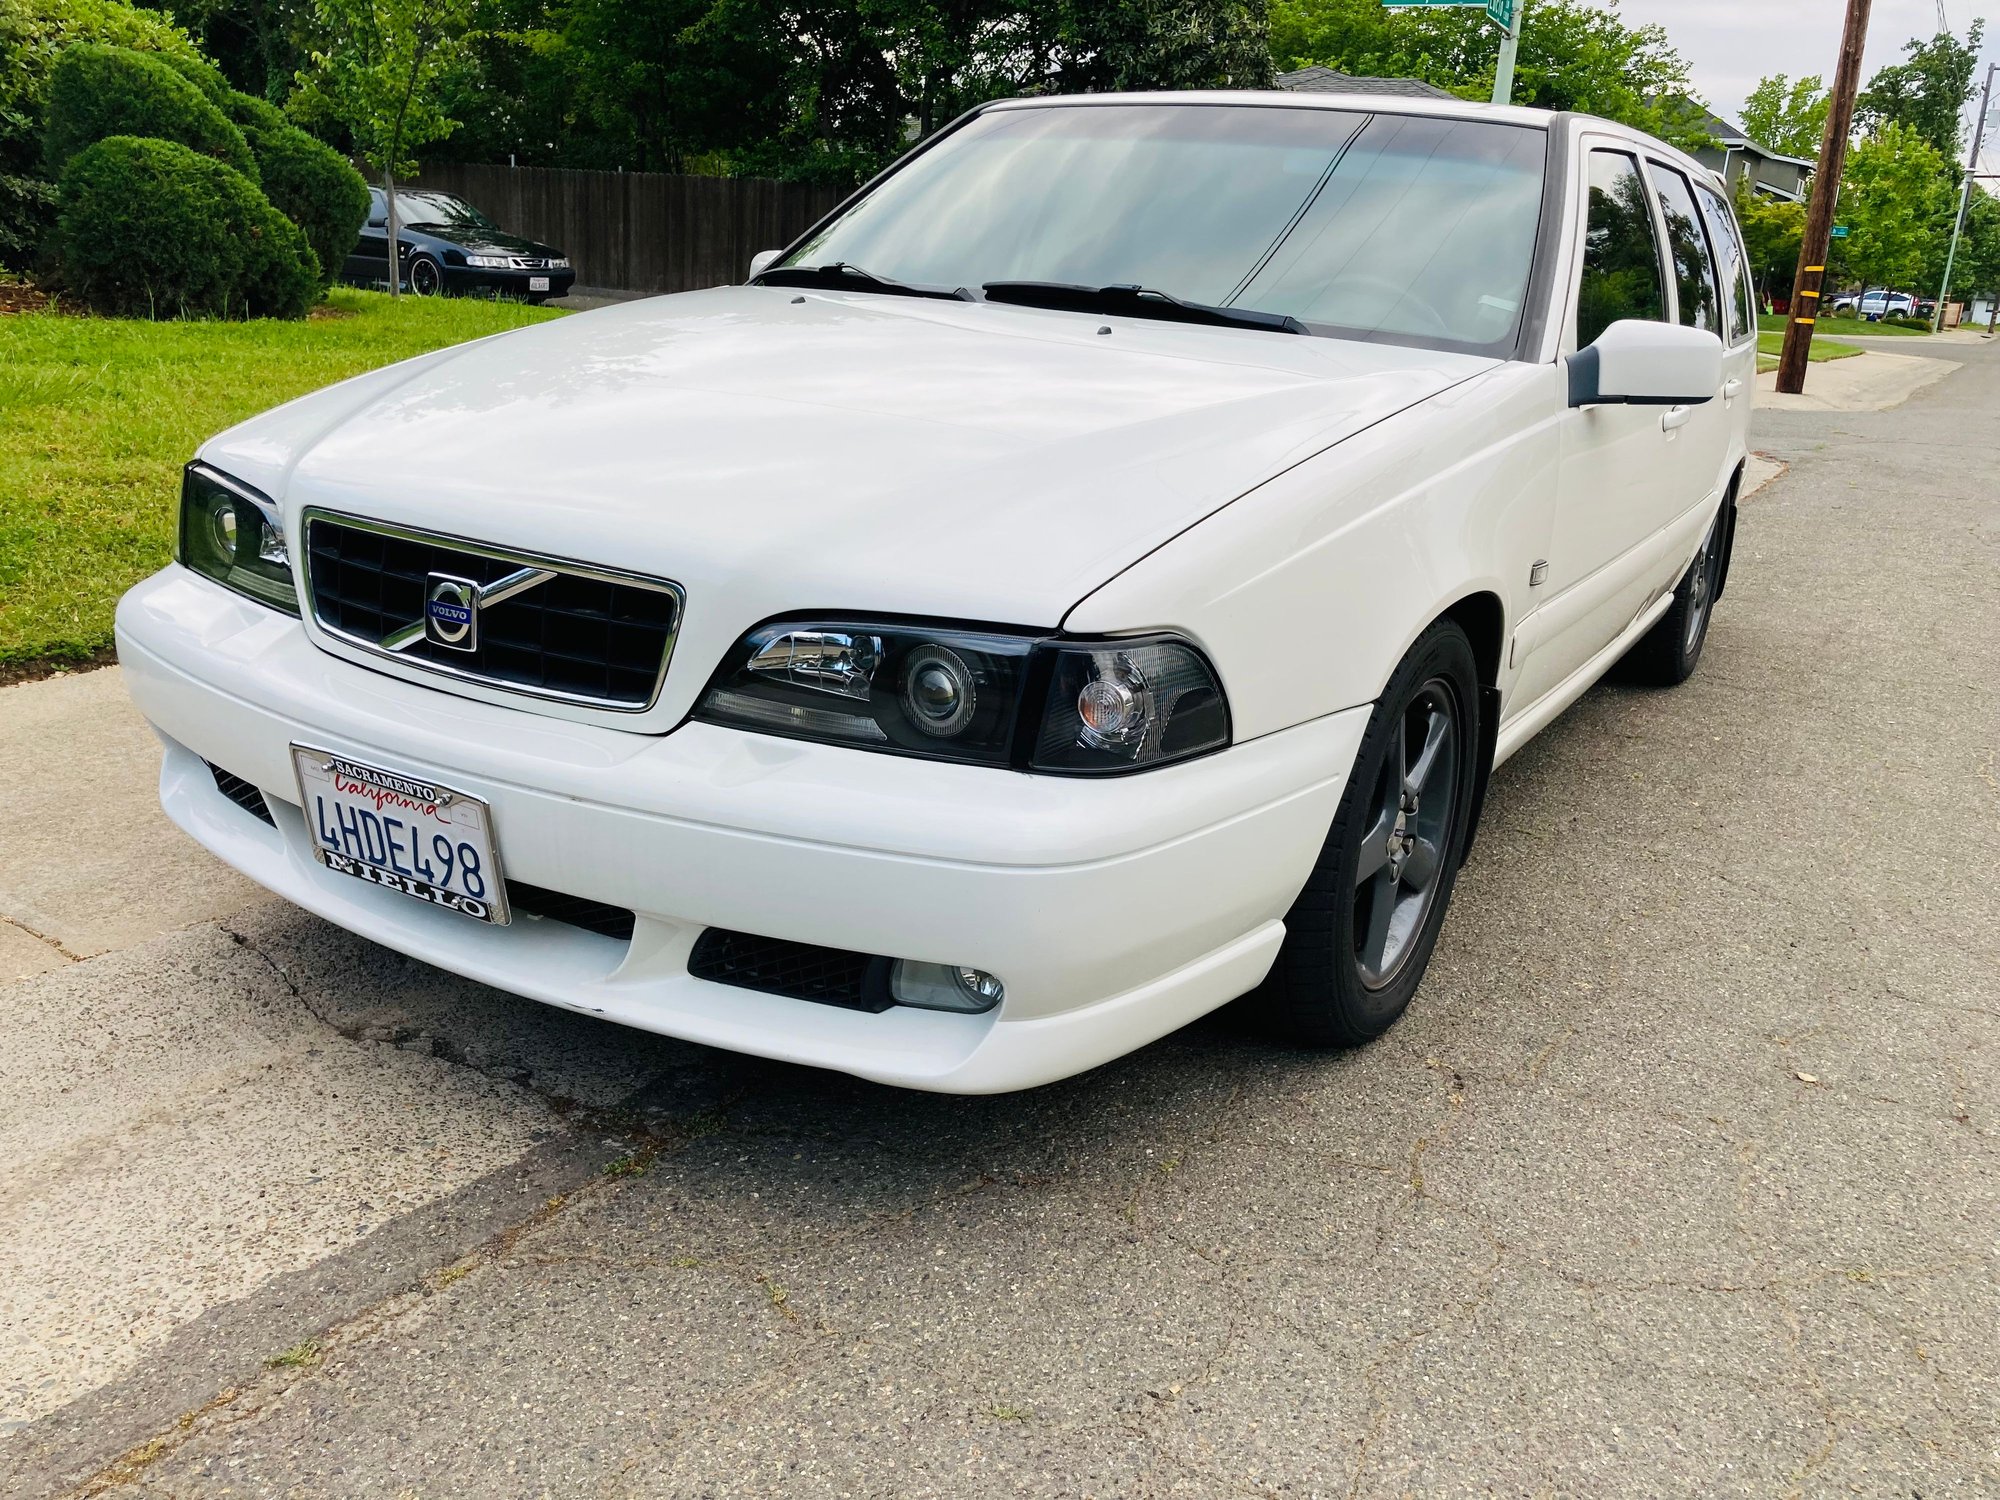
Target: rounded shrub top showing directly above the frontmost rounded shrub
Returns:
[107, 91]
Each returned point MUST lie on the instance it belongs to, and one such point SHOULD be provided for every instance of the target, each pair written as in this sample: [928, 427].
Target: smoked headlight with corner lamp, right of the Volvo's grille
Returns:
[999, 699]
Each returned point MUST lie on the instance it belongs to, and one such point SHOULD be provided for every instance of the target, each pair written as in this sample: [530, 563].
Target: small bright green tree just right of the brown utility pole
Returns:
[1897, 201]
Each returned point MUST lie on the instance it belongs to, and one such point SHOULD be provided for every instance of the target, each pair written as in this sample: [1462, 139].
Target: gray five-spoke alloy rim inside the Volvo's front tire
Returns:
[1403, 849]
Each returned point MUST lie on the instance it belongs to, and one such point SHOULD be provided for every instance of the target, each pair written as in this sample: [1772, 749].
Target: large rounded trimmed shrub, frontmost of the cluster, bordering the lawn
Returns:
[157, 231]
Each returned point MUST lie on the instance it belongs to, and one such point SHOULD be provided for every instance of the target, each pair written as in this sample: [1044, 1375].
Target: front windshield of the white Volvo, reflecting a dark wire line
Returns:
[1405, 229]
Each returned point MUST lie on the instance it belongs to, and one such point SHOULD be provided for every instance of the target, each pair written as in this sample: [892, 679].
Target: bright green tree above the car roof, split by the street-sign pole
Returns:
[1573, 55]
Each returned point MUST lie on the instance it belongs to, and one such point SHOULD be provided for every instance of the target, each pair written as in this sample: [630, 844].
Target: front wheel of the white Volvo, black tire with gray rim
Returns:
[1325, 989]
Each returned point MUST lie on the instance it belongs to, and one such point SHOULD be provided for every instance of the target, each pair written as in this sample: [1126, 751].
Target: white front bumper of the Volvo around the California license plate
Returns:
[1115, 911]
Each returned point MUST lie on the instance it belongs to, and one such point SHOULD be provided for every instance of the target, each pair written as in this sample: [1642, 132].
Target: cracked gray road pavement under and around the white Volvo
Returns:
[1679, 1179]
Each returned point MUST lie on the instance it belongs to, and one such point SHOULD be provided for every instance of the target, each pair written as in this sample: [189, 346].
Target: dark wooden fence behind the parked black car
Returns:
[639, 231]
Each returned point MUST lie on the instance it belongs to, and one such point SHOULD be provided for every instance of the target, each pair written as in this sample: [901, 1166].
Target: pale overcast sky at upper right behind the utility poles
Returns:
[1733, 43]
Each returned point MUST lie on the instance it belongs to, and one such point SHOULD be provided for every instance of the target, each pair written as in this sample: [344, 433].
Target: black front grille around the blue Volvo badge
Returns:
[585, 635]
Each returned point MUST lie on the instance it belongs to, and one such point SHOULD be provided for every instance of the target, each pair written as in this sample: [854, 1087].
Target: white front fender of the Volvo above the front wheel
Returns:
[1311, 589]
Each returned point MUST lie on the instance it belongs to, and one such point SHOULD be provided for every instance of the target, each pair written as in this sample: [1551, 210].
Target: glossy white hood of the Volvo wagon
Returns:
[781, 451]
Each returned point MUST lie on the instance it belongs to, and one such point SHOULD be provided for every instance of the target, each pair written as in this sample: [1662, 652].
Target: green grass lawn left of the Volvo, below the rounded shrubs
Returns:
[99, 415]
